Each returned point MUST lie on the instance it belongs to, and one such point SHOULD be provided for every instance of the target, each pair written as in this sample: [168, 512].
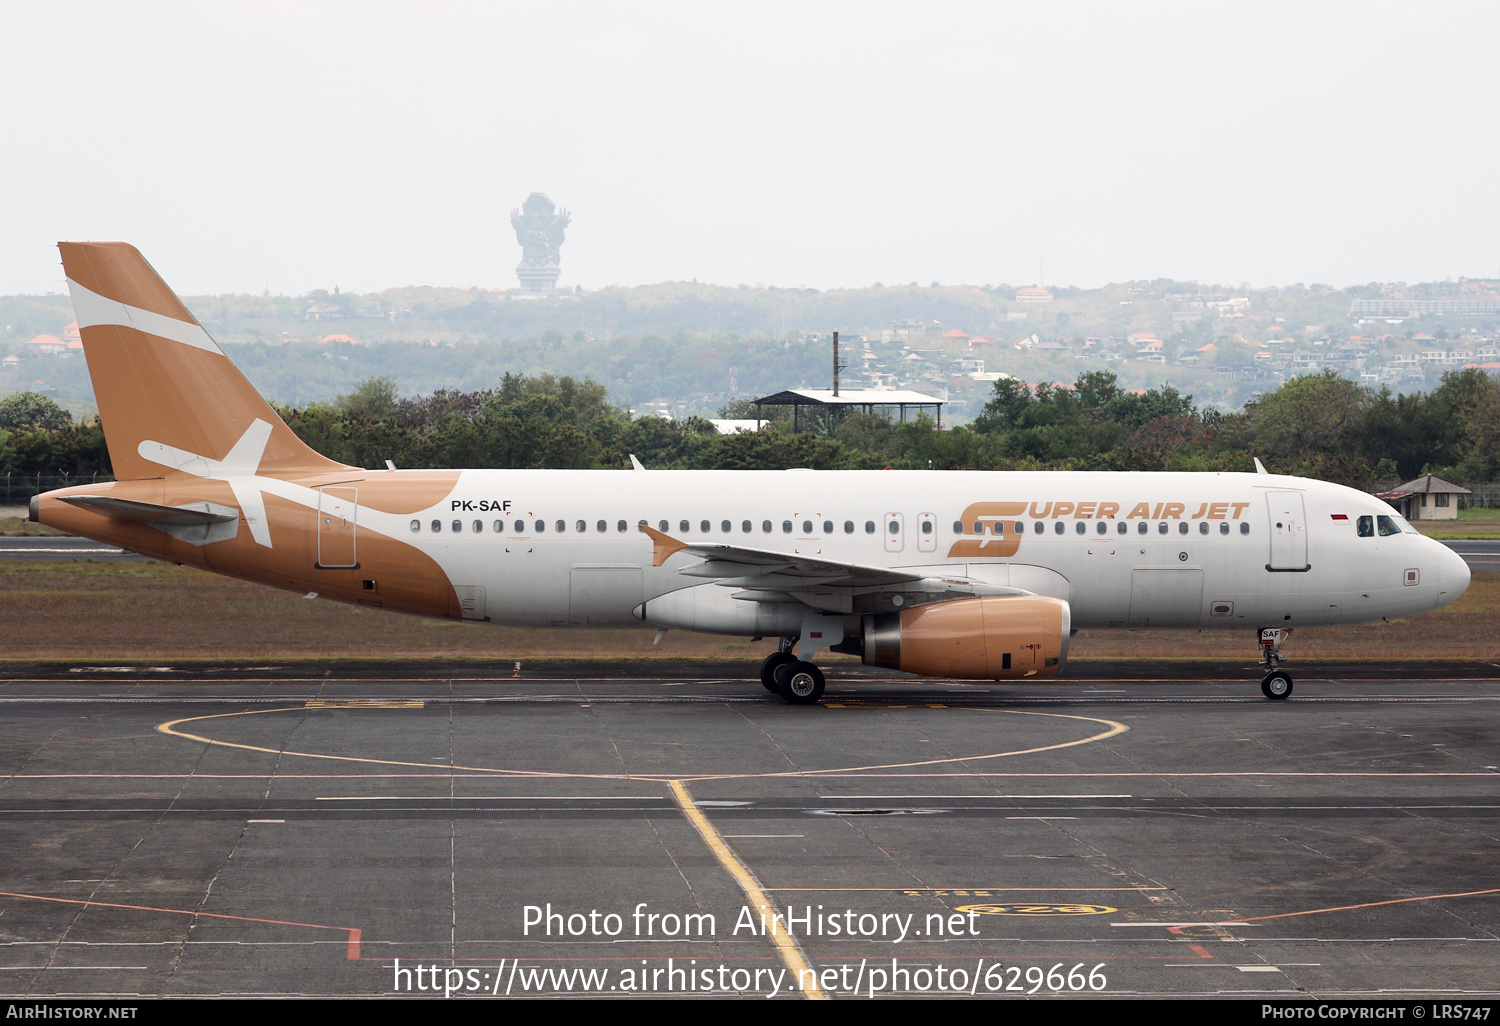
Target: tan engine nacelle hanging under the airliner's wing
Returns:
[973, 640]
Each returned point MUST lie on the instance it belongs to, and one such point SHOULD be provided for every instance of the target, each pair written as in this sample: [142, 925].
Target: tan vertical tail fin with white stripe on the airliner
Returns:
[169, 398]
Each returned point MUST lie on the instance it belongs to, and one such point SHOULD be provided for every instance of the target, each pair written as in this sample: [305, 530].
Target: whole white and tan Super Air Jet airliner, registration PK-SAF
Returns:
[940, 574]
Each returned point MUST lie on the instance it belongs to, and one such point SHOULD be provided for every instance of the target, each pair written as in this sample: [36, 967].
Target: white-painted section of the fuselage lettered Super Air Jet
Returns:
[1126, 550]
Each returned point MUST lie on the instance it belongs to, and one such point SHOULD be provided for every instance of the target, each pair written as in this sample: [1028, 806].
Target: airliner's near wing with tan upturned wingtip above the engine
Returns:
[830, 586]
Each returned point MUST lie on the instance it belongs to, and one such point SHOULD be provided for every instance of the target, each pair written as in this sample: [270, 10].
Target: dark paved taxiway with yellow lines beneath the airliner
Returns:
[637, 829]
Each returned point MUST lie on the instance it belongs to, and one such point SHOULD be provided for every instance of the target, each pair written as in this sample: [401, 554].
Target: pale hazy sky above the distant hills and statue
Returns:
[376, 145]
